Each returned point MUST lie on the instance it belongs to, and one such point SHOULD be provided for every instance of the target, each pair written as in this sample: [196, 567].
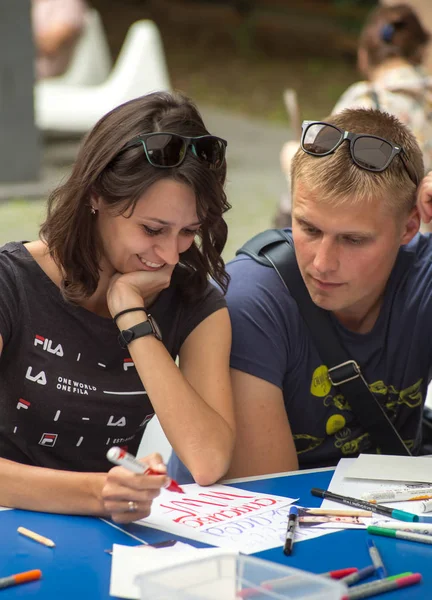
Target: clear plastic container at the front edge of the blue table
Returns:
[230, 577]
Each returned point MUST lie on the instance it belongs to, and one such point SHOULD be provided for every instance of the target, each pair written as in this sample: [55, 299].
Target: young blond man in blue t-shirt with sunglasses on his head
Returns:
[355, 232]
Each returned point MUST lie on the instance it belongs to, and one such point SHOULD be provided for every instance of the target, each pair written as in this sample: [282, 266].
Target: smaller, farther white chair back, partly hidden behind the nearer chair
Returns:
[91, 60]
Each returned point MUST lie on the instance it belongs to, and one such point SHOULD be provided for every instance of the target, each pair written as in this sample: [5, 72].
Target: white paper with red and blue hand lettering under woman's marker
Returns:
[225, 516]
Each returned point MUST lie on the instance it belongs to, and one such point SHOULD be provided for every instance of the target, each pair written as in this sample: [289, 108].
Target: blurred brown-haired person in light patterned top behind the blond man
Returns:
[390, 55]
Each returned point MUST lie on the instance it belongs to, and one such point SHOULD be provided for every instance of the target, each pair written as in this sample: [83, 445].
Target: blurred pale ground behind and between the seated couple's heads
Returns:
[254, 182]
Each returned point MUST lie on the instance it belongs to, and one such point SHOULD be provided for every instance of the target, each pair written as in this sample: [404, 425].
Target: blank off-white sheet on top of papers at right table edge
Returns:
[391, 468]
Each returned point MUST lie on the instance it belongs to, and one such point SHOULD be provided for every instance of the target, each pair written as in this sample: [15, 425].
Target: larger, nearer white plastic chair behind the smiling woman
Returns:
[139, 69]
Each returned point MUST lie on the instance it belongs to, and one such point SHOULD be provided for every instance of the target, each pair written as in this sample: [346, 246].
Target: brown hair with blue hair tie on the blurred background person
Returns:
[393, 31]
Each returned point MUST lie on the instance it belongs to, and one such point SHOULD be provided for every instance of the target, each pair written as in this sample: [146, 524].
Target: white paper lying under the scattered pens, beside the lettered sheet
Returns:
[341, 484]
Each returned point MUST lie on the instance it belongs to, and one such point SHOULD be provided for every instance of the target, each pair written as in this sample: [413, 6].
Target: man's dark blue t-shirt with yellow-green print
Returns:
[271, 341]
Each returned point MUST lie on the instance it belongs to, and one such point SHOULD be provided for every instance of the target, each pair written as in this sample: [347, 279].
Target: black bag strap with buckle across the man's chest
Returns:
[275, 248]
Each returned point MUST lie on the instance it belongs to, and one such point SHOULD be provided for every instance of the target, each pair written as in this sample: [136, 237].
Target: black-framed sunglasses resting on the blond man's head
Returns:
[368, 152]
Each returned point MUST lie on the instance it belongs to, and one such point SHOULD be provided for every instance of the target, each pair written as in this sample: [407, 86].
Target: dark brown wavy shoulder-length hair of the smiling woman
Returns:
[120, 178]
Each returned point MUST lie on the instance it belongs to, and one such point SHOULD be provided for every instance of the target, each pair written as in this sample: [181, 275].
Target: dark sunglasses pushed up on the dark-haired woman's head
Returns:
[167, 150]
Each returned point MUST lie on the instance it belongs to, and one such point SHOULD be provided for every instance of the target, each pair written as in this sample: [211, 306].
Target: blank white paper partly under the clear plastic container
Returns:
[130, 561]
